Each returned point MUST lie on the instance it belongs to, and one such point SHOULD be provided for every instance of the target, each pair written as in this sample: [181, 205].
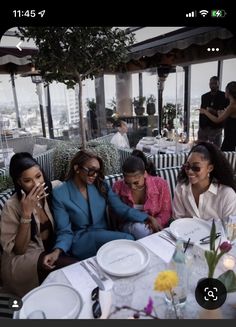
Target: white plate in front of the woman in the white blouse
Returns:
[192, 228]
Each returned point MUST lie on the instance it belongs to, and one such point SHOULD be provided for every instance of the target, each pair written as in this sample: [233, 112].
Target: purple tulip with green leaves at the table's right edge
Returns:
[213, 256]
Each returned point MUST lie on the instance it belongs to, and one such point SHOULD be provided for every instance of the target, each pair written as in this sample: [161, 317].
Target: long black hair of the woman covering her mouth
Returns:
[19, 163]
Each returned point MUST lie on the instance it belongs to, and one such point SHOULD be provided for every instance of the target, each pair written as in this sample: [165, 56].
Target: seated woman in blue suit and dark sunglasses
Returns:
[79, 206]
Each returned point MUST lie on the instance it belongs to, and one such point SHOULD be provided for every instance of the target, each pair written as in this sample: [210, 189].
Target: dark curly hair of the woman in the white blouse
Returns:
[222, 171]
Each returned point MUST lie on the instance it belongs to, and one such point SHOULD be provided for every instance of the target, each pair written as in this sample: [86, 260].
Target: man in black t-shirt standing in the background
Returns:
[214, 101]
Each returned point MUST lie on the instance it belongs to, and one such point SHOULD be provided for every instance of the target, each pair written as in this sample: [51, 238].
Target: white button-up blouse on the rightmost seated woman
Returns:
[219, 201]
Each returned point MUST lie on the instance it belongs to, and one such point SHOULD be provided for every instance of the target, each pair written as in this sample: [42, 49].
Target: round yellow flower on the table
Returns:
[166, 280]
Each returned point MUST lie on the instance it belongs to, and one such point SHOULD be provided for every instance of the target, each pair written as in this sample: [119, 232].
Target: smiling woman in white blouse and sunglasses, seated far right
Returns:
[206, 186]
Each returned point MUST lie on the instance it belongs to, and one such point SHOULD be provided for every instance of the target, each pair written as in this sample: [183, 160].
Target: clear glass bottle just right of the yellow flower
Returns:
[178, 264]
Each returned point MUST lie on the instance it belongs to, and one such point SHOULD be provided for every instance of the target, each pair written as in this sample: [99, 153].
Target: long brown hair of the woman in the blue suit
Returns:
[80, 159]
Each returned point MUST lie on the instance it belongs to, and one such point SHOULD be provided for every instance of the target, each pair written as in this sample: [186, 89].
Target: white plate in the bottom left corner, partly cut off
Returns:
[57, 301]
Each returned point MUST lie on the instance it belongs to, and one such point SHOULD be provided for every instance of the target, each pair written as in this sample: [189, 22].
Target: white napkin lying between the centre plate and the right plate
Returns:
[160, 247]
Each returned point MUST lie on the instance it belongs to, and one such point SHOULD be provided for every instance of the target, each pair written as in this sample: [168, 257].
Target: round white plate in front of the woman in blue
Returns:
[122, 258]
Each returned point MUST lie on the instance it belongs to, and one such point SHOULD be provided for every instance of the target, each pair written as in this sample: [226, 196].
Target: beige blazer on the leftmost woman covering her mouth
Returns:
[19, 272]
